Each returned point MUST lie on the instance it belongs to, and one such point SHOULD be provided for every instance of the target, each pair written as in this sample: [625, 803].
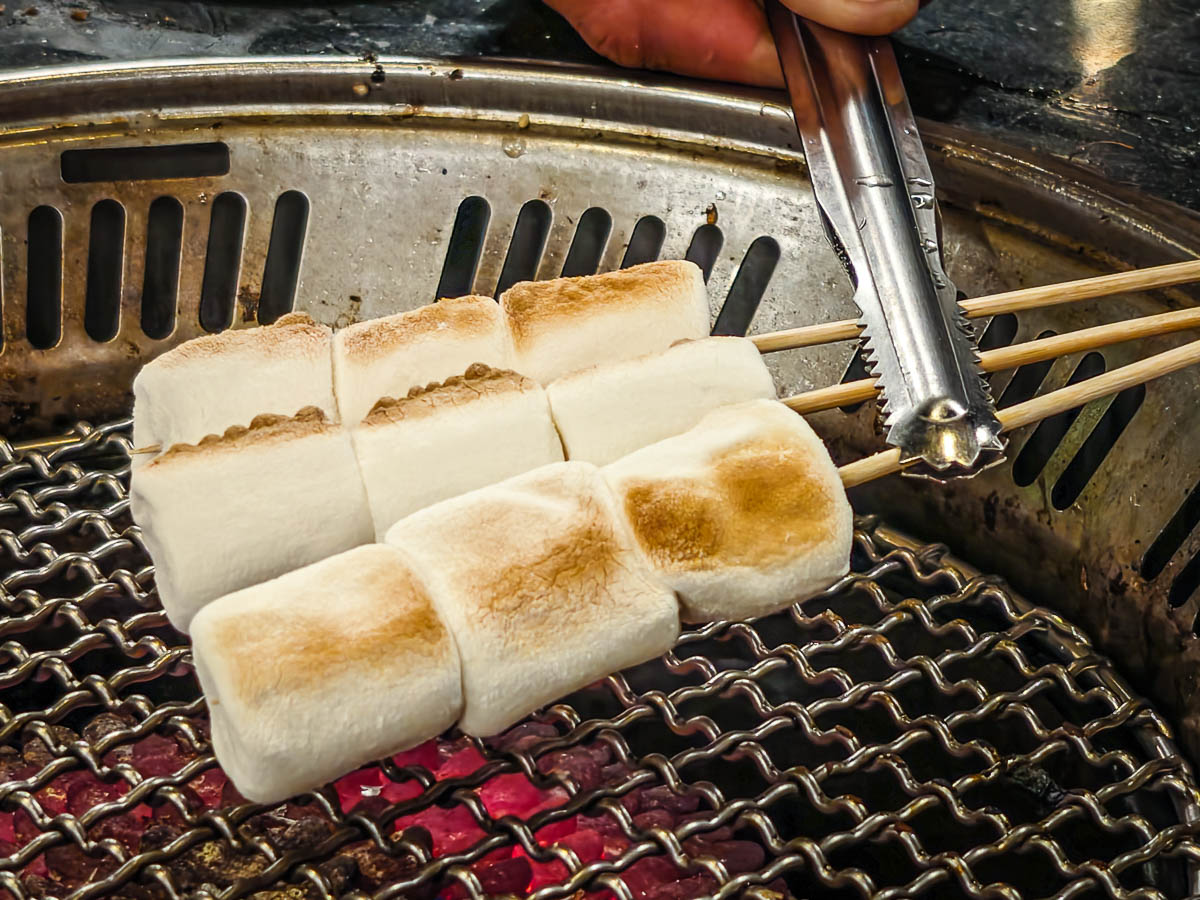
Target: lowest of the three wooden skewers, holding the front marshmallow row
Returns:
[1034, 411]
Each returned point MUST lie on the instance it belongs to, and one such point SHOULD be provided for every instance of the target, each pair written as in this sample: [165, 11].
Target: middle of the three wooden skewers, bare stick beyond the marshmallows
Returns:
[1003, 358]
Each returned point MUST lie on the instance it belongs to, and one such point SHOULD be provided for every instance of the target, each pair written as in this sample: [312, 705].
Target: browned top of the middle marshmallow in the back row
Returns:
[464, 316]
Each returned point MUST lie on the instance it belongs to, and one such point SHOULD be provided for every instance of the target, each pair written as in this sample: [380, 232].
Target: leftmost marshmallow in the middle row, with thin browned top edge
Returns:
[249, 506]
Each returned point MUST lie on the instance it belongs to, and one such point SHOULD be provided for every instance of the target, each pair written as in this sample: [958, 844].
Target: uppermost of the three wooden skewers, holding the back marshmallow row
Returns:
[1160, 277]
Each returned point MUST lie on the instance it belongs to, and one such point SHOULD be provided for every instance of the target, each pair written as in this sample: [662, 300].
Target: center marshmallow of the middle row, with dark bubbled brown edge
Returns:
[453, 437]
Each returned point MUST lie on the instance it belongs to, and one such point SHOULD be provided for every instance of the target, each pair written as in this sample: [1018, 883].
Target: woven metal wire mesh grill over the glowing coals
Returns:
[916, 731]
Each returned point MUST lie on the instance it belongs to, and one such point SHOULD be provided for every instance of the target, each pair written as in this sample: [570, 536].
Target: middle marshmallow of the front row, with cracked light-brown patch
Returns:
[542, 586]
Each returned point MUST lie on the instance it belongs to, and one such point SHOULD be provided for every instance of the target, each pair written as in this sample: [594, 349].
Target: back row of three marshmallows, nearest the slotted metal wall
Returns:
[542, 329]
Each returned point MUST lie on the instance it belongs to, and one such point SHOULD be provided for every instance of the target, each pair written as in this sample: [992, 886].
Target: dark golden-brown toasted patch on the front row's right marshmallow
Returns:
[757, 506]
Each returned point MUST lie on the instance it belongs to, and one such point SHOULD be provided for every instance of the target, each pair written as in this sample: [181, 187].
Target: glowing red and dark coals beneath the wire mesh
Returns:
[361, 866]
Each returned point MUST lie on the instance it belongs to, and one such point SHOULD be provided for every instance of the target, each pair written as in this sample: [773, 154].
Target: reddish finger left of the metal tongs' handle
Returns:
[724, 40]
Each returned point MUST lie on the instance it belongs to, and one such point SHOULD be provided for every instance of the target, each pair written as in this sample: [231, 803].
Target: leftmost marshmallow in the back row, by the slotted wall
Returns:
[212, 383]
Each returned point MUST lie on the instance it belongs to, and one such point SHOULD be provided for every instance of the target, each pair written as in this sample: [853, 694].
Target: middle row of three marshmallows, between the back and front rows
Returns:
[275, 508]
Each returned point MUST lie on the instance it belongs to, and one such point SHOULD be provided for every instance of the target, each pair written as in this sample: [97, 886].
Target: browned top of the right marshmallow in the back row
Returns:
[535, 305]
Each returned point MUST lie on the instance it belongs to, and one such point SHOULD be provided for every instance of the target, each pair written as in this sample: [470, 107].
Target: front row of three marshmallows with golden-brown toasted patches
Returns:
[487, 607]
